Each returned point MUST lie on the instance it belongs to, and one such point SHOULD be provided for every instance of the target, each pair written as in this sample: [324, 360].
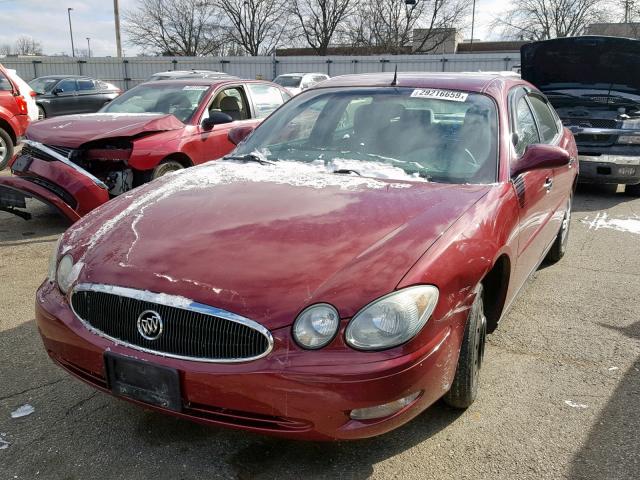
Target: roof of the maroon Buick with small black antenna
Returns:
[472, 81]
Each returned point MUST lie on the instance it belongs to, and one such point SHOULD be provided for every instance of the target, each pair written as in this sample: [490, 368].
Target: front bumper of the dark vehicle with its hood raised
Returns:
[607, 168]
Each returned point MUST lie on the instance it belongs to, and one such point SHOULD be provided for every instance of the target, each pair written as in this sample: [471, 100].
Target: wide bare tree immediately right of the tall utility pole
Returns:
[175, 27]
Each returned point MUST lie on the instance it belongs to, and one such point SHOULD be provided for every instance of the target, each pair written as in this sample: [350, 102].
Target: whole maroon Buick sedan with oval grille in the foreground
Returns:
[336, 274]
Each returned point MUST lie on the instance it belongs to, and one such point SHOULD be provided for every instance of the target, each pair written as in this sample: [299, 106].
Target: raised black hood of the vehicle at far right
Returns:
[583, 62]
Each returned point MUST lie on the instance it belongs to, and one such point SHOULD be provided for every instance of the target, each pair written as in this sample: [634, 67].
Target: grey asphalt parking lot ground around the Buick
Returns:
[559, 395]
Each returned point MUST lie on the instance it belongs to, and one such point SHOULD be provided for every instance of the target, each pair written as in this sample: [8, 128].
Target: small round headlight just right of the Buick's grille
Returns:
[316, 326]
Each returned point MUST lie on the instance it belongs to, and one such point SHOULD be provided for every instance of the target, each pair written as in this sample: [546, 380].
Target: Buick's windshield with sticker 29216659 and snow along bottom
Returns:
[420, 134]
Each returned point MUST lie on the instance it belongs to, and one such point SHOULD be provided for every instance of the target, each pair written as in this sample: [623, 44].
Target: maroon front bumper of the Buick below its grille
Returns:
[287, 393]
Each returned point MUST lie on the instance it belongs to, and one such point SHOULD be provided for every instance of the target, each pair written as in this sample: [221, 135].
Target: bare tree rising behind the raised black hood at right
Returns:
[545, 19]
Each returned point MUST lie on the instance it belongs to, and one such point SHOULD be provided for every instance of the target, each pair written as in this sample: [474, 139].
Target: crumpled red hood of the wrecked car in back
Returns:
[74, 130]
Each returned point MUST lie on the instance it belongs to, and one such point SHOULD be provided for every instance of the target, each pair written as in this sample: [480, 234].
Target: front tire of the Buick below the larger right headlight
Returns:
[464, 387]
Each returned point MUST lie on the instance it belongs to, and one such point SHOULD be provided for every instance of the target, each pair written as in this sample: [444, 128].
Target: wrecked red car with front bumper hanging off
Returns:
[78, 162]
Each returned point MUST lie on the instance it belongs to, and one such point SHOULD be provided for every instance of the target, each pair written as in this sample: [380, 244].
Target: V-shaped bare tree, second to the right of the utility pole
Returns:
[256, 25]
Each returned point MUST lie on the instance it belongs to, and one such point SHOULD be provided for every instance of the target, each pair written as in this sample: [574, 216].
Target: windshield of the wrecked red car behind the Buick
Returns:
[178, 100]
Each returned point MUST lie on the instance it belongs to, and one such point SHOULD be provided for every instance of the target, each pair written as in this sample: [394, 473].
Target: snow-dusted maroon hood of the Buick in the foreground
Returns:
[265, 241]
